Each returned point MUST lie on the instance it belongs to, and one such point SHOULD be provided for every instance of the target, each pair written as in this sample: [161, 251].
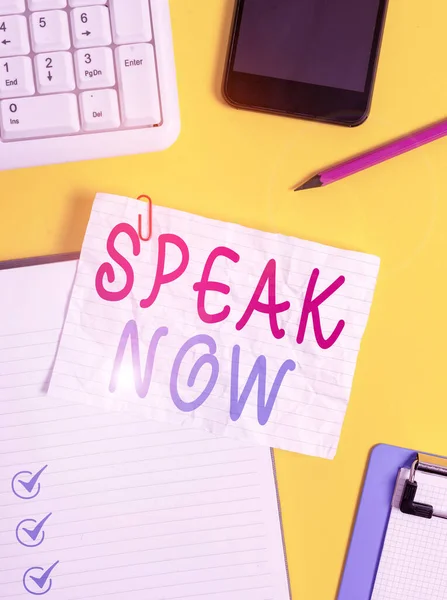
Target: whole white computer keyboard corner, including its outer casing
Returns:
[83, 79]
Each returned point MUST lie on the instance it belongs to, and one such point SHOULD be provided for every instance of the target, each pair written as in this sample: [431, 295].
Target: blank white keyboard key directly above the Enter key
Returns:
[131, 21]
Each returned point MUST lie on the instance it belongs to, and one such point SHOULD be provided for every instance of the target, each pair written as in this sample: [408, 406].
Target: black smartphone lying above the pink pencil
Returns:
[313, 59]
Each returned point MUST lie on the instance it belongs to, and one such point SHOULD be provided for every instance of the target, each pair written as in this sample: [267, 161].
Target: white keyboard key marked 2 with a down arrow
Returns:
[54, 73]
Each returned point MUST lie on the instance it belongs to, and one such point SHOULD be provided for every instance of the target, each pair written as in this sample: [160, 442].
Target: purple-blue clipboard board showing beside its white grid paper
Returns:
[365, 549]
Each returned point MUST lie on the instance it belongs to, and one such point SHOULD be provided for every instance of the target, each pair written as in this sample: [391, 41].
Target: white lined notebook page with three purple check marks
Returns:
[100, 506]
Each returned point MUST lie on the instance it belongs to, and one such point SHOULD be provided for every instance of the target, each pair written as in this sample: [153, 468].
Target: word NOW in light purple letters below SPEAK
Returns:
[142, 381]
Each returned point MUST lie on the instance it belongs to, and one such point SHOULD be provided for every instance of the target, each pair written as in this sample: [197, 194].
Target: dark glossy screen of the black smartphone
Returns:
[319, 42]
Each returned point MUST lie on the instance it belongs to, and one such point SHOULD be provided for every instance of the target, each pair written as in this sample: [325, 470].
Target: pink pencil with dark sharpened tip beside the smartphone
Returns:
[374, 157]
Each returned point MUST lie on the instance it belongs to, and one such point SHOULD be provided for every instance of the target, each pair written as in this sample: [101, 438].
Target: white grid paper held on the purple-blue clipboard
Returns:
[413, 565]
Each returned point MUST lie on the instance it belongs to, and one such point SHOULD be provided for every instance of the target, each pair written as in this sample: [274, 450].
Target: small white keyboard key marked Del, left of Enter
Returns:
[99, 110]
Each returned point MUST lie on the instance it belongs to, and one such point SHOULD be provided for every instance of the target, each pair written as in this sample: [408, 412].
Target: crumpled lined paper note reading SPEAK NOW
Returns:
[307, 385]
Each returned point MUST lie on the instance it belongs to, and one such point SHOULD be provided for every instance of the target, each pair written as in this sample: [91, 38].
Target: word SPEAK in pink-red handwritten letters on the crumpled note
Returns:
[267, 279]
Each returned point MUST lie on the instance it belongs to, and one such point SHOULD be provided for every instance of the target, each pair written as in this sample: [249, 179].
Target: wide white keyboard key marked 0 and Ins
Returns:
[39, 116]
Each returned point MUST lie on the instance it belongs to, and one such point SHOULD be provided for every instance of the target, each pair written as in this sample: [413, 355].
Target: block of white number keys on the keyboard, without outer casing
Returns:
[60, 74]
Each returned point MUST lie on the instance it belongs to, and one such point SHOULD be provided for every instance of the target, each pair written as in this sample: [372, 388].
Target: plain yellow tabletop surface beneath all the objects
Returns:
[239, 166]
